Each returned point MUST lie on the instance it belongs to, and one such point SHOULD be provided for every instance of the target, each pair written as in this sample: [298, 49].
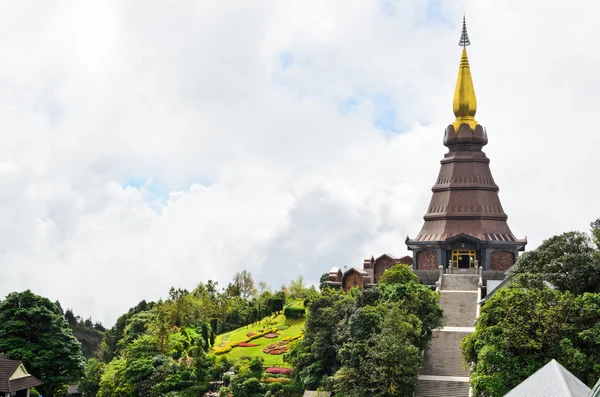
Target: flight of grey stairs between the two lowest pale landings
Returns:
[443, 358]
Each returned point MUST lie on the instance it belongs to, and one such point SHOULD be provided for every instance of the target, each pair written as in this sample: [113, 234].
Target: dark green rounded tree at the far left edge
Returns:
[32, 329]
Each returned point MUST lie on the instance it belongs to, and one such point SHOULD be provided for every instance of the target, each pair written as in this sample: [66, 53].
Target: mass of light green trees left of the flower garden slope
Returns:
[161, 348]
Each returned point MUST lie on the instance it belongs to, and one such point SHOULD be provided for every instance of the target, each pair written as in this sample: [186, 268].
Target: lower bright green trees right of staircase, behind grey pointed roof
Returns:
[521, 329]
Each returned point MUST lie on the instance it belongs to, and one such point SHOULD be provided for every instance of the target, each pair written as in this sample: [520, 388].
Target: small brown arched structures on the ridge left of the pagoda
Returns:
[368, 275]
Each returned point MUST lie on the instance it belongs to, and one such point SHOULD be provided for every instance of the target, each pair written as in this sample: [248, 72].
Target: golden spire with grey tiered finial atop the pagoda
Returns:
[465, 102]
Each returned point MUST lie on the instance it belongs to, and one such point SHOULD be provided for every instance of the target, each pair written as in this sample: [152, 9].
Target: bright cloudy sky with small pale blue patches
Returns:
[149, 144]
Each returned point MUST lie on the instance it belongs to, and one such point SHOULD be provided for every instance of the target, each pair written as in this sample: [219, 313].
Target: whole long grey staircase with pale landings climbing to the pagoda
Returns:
[442, 373]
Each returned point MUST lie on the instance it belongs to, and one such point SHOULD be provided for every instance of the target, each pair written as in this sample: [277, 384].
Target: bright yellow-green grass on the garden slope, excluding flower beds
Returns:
[296, 326]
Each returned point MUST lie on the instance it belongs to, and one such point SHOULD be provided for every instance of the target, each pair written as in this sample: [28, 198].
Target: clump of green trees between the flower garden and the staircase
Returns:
[368, 342]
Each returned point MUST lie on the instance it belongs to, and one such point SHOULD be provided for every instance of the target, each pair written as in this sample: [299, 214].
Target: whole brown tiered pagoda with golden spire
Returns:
[465, 224]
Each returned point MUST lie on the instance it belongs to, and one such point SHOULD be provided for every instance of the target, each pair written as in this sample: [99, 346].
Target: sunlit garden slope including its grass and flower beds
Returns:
[284, 331]
